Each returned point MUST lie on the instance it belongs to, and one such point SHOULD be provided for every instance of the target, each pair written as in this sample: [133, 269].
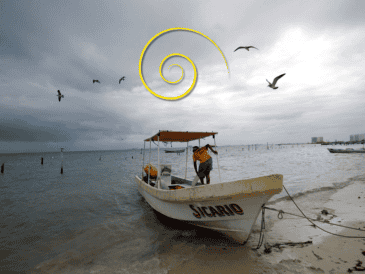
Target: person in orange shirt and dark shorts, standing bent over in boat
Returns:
[206, 162]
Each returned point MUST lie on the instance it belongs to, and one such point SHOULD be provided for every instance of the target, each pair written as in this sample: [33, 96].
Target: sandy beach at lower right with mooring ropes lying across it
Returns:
[326, 254]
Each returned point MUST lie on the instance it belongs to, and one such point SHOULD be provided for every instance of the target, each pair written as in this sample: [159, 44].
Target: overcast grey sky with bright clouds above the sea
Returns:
[51, 45]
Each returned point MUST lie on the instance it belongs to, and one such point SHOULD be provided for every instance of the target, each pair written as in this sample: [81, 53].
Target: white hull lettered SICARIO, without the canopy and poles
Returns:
[232, 214]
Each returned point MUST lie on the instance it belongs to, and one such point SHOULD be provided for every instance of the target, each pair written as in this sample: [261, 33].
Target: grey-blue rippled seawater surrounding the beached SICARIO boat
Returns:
[92, 219]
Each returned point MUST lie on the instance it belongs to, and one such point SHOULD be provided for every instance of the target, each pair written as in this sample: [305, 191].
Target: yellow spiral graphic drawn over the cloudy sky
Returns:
[171, 55]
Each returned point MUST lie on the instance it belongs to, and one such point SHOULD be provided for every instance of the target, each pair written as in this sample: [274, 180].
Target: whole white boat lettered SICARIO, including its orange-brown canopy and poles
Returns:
[231, 208]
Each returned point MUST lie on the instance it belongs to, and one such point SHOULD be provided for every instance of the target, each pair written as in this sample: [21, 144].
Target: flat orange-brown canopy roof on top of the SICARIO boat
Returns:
[179, 136]
